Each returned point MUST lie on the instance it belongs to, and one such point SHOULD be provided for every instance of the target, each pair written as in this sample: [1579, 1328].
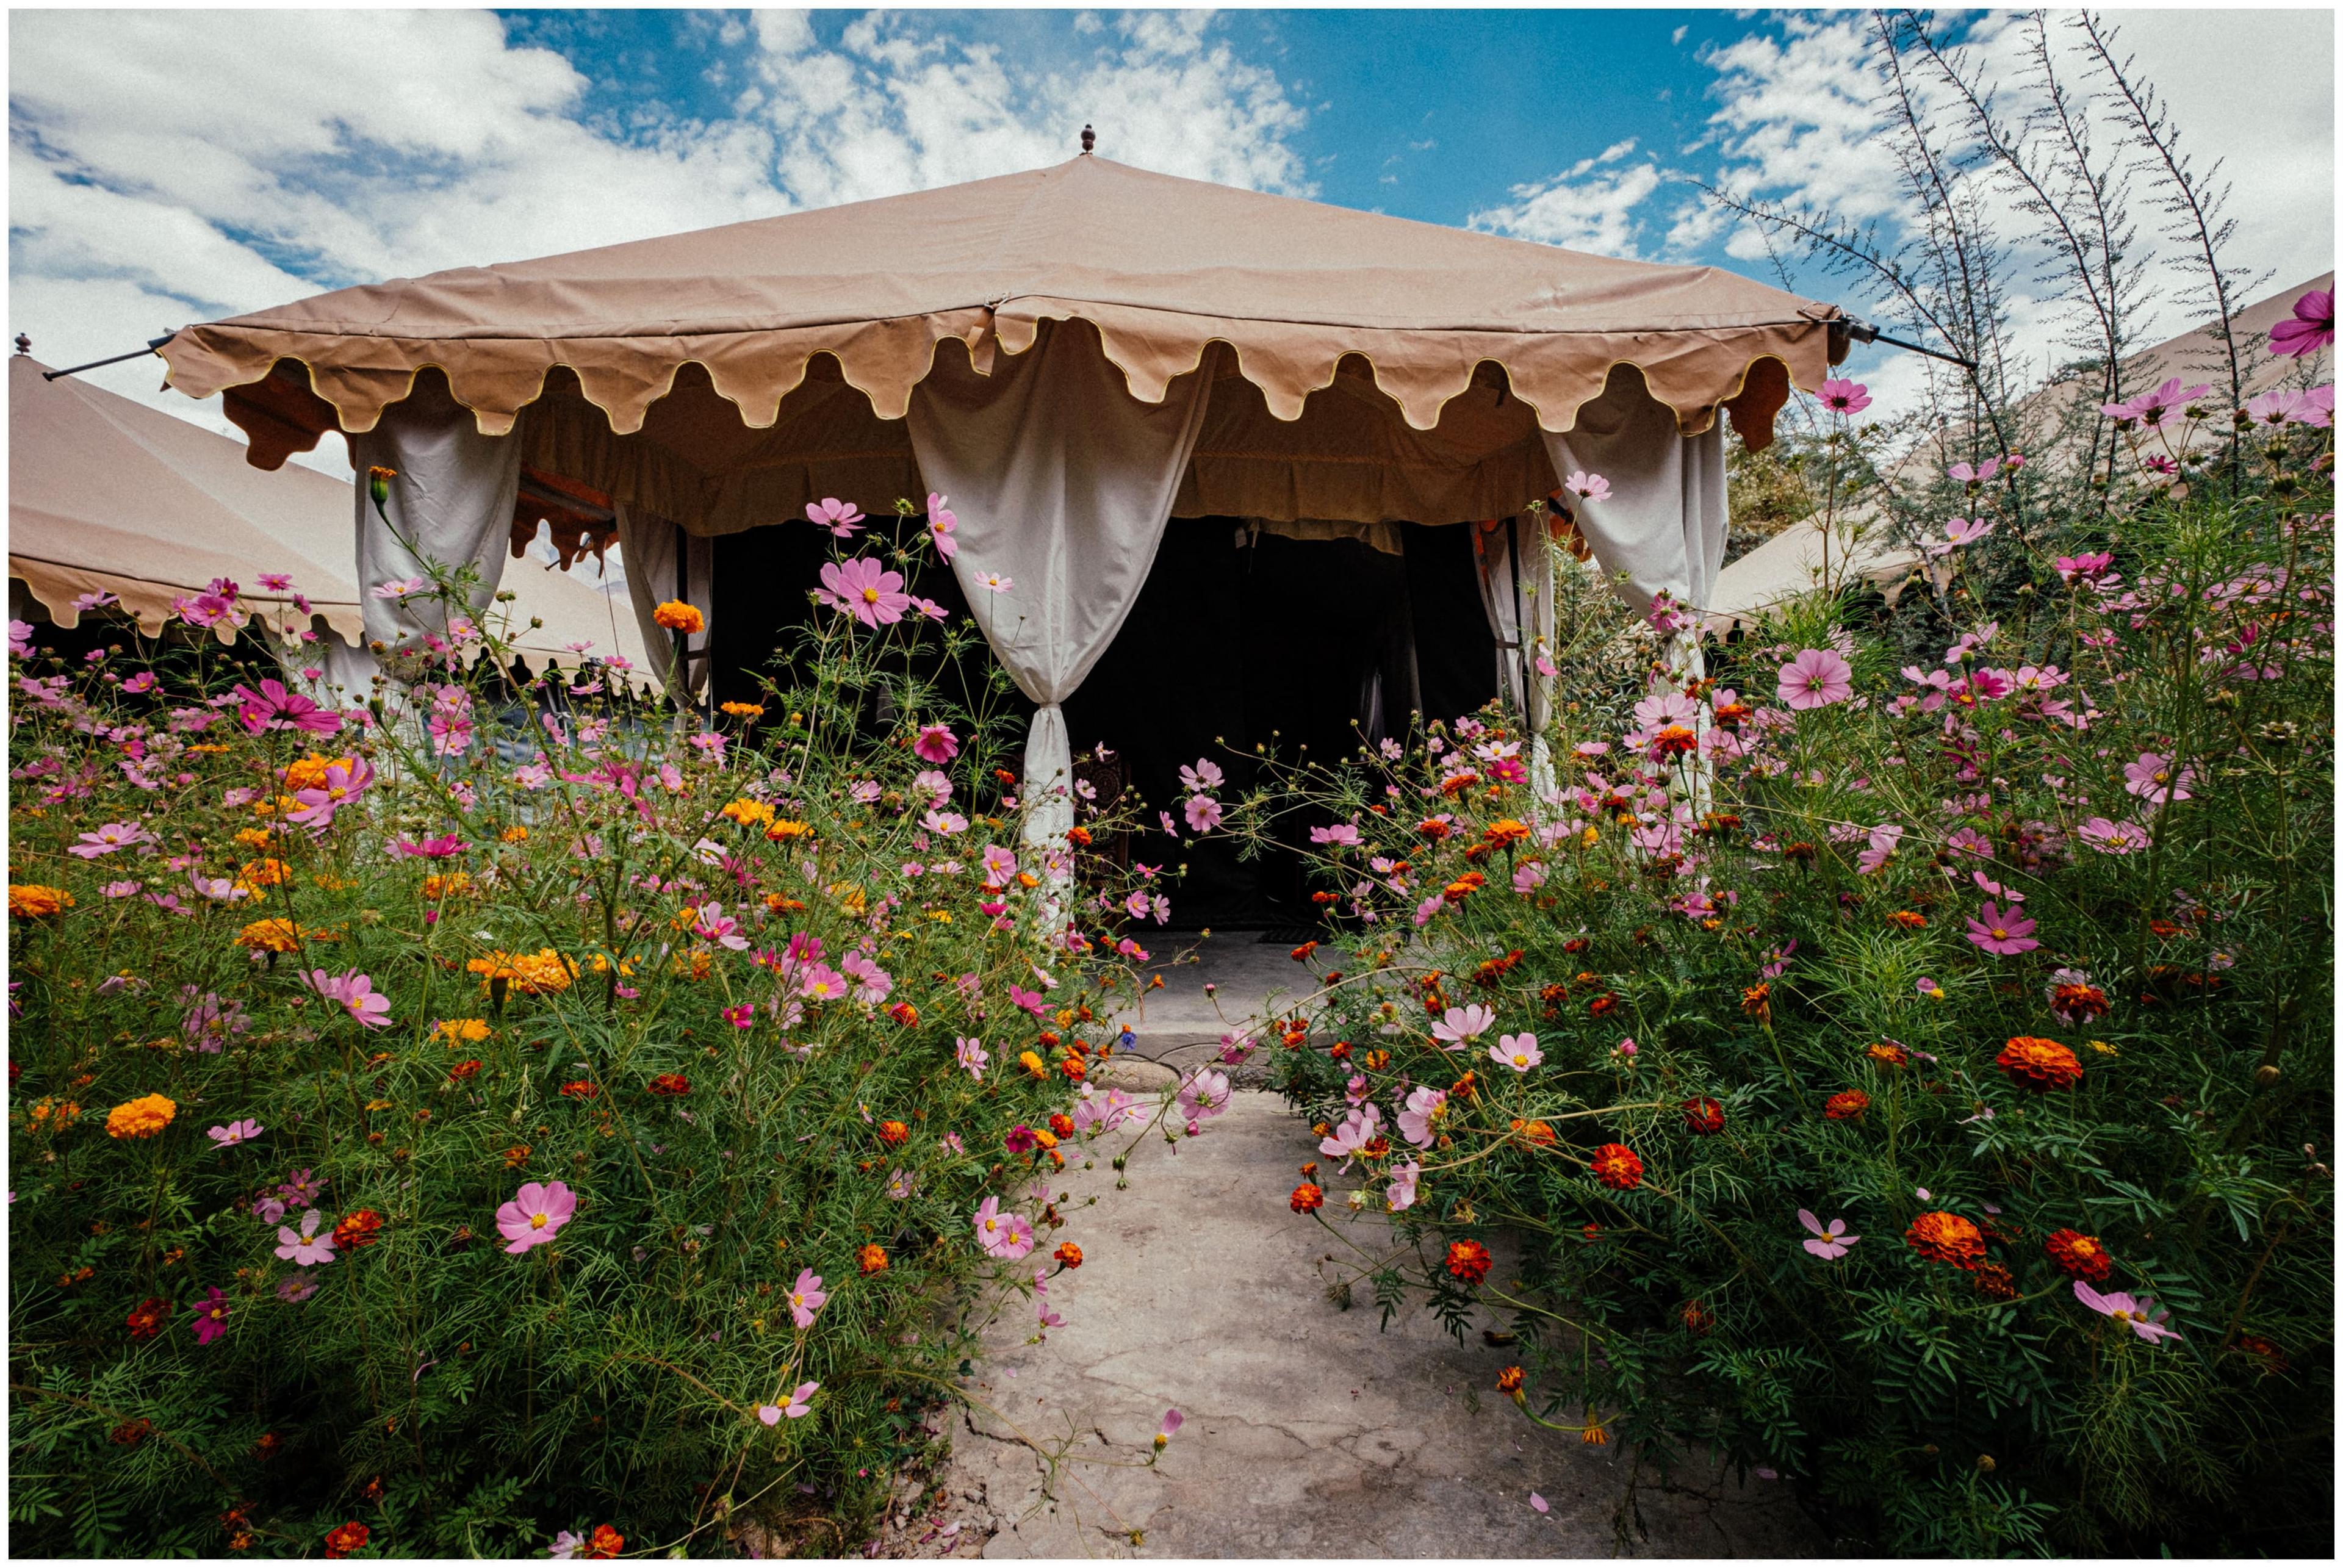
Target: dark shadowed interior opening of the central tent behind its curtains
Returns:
[1243, 636]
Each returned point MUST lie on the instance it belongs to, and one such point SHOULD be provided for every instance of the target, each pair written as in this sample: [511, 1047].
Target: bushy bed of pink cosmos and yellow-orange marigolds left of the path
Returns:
[592, 983]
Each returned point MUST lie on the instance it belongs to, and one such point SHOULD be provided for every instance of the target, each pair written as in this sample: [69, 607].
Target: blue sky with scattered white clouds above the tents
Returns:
[175, 168]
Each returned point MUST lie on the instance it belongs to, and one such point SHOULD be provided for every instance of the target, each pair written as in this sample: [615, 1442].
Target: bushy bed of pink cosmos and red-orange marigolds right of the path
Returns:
[1784, 913]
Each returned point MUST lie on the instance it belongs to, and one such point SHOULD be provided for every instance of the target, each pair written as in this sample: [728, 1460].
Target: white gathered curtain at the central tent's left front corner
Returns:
[451, 503]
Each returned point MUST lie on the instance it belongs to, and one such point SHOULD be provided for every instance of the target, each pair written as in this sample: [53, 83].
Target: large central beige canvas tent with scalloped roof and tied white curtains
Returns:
[1074, 357]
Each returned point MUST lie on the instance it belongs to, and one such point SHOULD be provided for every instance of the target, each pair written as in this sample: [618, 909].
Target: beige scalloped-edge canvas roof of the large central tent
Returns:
[1156, 264]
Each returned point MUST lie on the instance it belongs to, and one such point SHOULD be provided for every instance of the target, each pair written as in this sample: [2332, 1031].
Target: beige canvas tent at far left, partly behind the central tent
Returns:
[114, 496]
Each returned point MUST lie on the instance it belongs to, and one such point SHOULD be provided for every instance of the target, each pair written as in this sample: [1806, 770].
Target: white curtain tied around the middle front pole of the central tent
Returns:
[1063, 484]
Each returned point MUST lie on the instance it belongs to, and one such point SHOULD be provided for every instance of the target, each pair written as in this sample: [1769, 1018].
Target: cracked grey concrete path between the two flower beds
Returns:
[1309, 1431]
